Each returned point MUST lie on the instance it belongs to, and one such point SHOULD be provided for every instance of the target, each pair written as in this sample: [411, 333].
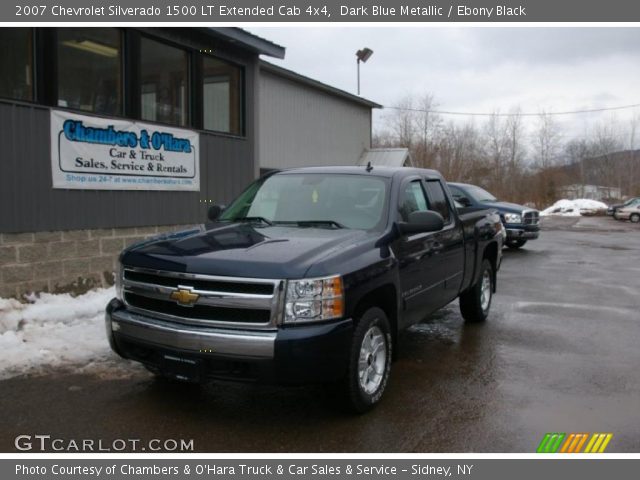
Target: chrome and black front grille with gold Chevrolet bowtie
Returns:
[203, 299]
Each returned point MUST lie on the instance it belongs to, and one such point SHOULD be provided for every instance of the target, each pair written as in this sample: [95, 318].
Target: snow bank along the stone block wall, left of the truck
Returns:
[56, 332]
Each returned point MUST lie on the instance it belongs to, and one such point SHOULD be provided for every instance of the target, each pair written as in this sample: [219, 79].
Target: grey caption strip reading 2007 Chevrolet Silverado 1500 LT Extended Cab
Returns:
[325, 11]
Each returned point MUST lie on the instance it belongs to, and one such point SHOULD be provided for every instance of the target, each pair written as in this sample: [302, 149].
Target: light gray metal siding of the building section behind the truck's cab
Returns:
[303, 126]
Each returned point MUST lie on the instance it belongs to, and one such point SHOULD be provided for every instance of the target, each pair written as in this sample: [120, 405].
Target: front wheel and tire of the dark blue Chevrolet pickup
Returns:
[369, 367]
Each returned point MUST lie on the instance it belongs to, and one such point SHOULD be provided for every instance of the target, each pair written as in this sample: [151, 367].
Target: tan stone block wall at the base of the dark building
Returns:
[65, 262]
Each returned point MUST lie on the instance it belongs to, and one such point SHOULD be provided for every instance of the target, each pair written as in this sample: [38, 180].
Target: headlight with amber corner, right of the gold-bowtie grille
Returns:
[314, 299]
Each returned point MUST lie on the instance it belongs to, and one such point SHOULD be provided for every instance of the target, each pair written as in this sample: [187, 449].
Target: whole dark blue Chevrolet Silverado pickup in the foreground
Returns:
[306, 277]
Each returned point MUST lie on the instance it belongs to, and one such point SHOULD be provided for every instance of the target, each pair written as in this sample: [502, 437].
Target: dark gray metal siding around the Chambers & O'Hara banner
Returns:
[29, 203]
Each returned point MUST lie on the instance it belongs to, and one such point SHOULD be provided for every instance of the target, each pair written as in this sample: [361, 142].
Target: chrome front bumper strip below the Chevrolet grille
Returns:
[232, 343]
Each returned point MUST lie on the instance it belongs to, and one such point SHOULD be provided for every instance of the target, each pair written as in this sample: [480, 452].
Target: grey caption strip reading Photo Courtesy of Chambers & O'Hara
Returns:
[195, 468]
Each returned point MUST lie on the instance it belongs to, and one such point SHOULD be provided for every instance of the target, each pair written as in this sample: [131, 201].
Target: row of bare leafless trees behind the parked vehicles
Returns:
[517, 161]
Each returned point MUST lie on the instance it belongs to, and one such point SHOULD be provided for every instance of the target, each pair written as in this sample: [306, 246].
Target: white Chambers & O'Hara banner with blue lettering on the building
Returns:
[94, 153]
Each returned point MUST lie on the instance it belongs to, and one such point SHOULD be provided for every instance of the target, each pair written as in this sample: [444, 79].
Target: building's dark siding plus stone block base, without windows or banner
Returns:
[58, 240]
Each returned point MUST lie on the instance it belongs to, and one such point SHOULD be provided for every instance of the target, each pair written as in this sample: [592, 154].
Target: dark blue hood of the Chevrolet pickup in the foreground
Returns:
[242, 250]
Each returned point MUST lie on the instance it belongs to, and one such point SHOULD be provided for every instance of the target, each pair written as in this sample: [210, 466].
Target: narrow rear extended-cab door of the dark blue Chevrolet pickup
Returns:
[450, 241]
